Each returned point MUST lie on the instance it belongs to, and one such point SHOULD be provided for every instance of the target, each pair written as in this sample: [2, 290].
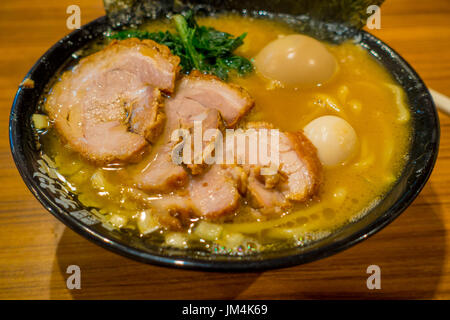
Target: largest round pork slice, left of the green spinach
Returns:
[108, 107]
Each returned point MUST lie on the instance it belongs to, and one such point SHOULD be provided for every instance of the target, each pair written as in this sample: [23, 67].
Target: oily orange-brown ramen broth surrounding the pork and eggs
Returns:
[361, 92]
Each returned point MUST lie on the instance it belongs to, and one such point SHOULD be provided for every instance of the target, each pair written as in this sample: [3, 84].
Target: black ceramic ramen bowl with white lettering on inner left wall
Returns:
[65, 207]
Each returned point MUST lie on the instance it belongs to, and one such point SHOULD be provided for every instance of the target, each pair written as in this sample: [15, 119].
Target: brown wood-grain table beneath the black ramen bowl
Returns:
[35, 248]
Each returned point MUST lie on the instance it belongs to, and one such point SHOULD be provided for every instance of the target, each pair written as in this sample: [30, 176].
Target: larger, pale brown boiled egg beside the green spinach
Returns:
[296, 60]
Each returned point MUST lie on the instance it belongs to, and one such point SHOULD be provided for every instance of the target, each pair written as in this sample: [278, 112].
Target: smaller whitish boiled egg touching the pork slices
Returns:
[334, 138]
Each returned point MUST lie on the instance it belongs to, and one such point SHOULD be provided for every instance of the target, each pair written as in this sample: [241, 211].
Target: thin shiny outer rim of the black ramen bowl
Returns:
[221, 265]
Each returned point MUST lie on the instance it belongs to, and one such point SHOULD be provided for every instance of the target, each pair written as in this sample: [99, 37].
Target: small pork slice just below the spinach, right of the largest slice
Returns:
[231, 100]
